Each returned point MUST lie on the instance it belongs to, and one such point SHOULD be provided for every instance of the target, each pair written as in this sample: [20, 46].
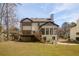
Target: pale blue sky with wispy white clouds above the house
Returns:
[63, 12]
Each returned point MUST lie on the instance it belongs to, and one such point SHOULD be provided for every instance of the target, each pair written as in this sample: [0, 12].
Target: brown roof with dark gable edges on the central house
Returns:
[45, 20]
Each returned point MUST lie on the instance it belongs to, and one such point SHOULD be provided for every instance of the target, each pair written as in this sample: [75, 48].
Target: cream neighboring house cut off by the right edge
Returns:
[74, 32]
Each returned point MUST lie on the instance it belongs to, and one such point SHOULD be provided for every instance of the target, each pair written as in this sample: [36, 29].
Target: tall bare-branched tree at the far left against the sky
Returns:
[8, 16]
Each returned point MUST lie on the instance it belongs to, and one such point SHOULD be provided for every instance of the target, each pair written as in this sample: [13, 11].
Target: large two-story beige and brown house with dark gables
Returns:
[41, 29]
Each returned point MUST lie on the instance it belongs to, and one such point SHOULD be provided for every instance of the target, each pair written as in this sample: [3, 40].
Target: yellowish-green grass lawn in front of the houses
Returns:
[37, 49]
